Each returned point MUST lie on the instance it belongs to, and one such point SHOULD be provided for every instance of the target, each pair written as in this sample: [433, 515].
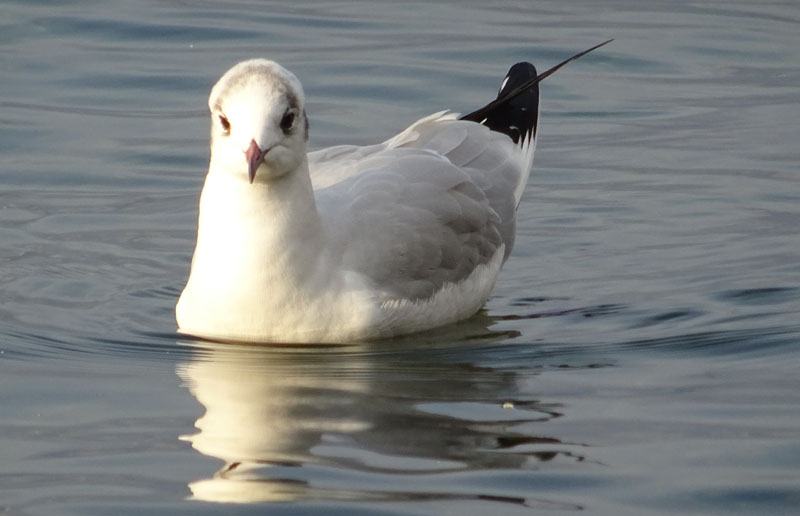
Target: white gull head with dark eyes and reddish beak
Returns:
[259, 128]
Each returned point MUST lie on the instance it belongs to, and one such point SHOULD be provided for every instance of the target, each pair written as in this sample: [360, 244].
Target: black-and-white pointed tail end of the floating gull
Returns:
[515, 111]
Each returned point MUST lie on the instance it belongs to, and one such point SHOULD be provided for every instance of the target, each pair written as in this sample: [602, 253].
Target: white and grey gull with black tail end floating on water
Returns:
[352, 242]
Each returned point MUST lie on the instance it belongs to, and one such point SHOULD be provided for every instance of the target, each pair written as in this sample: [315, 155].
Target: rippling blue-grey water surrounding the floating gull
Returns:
[640, 352]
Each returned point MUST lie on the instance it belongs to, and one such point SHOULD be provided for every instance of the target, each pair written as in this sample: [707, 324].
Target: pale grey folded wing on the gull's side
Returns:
[423, 209]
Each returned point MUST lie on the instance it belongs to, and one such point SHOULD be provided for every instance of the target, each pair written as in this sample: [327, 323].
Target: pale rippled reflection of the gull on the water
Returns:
[363, 422]
